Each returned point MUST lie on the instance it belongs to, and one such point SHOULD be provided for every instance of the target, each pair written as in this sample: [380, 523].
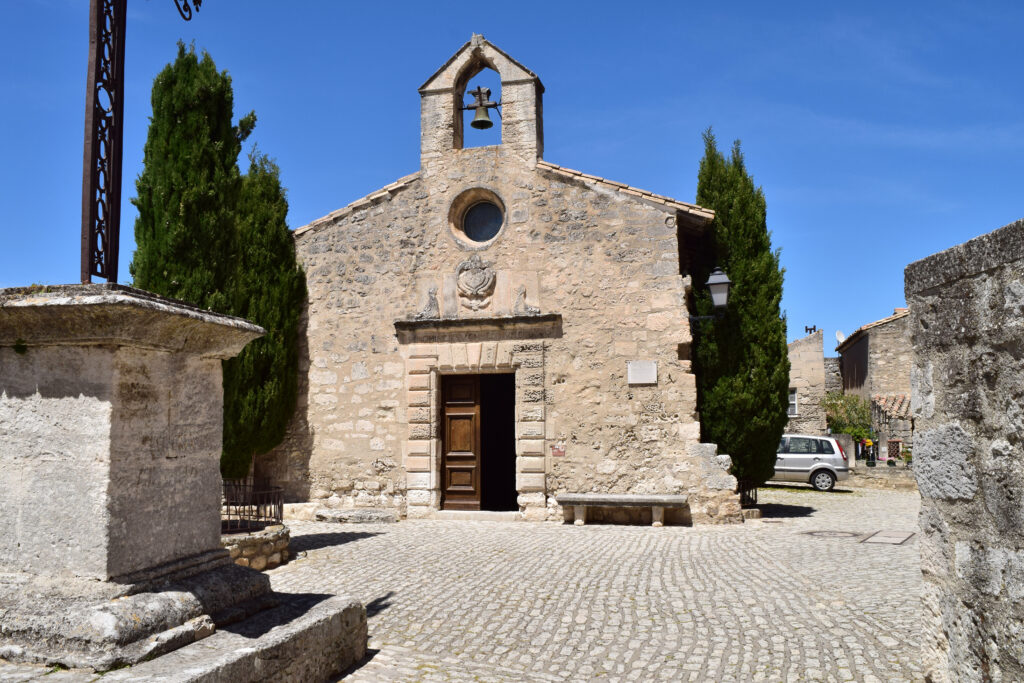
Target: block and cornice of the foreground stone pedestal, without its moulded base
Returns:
[108, 396]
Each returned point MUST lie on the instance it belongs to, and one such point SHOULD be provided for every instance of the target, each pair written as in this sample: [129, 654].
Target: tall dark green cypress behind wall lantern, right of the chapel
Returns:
[741, 360]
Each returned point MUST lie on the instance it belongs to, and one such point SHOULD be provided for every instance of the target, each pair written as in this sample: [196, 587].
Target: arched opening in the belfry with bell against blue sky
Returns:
[479, 94]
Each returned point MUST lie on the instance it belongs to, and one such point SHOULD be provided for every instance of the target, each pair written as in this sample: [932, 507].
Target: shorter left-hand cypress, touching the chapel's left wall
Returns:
[268, 288]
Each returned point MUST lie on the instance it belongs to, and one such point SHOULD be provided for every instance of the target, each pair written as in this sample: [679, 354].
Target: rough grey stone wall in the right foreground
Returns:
[967, 320]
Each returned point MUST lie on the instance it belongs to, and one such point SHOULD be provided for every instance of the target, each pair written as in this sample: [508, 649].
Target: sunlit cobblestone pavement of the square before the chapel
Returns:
[763, 602]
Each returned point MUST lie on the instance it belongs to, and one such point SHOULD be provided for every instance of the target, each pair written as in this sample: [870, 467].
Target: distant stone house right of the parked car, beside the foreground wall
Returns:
[875, 364]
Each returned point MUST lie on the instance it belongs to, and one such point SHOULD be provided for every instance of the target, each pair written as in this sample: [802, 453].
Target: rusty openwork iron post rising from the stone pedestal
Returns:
[104, 130]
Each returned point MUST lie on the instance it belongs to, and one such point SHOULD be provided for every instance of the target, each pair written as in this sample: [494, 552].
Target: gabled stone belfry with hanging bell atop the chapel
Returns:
[446, 124]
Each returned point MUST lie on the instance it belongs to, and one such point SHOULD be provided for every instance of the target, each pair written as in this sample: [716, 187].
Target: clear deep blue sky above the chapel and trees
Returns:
[881, 133]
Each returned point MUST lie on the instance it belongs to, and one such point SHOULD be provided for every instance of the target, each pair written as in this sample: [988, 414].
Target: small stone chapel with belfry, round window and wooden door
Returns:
[495, 330]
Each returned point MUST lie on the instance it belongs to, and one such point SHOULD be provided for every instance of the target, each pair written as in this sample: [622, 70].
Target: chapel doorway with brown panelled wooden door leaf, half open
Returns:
[479, 443]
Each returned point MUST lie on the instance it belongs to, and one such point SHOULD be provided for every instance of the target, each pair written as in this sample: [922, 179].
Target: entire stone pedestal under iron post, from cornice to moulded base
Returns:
[111, 419]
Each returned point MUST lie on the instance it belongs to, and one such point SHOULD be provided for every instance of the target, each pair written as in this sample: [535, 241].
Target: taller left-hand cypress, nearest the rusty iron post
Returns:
[187, 194]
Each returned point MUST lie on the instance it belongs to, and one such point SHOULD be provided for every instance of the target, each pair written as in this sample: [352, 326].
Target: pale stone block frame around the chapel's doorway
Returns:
[425, 363]
